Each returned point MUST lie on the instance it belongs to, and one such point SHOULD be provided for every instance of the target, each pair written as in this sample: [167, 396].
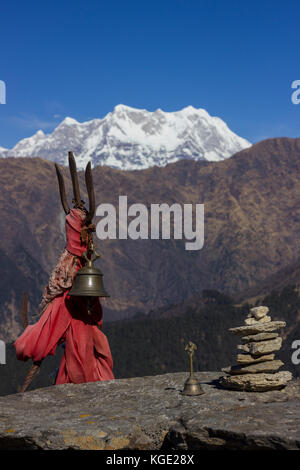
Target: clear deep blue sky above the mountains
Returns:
[236, 59]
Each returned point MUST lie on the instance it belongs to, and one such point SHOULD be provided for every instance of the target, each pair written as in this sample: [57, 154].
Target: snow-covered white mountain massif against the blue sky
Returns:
[129, 138]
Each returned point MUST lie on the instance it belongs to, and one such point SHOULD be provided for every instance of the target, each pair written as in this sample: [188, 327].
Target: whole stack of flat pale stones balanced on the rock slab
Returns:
[257, 368]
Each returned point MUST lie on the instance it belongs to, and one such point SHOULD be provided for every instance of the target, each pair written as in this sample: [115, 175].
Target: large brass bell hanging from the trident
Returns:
[88, 280]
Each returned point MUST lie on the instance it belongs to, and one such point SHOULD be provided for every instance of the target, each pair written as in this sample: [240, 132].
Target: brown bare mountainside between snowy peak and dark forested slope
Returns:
[252, 225]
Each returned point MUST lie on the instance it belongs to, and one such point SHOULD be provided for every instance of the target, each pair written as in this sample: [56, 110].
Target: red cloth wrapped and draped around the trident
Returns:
[87, 356]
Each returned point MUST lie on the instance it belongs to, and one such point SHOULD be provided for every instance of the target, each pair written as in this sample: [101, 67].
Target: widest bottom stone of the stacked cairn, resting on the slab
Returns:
[256, 382]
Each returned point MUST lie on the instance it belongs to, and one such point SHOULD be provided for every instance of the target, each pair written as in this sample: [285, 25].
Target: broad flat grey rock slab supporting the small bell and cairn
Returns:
[150, 413]
